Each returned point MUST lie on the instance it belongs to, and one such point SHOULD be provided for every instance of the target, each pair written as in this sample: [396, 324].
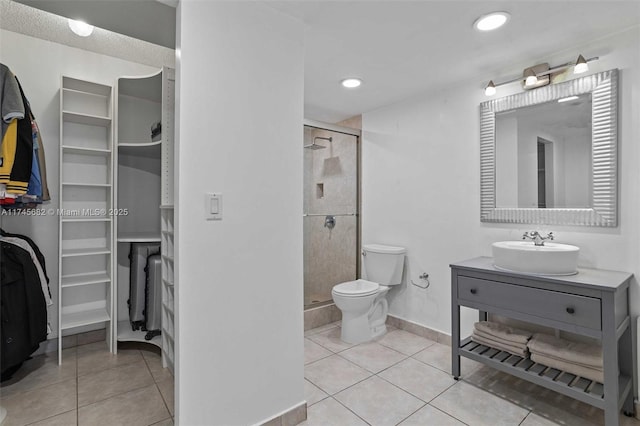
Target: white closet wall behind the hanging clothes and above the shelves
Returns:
[39, 64]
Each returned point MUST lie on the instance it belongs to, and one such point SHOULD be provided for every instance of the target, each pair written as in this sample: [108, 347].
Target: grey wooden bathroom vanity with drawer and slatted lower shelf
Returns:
[592, 303]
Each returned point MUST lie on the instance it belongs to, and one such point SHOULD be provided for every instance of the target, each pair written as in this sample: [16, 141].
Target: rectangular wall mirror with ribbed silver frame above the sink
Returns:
[549, 156]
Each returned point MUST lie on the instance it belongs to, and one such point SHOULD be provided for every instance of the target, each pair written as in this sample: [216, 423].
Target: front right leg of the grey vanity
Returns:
[610, 361]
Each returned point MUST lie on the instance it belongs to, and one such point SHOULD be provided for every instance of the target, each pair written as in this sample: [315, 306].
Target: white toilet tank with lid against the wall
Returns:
[383, 264]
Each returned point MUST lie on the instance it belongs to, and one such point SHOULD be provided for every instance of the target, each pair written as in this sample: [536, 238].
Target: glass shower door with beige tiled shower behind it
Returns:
[330, 212]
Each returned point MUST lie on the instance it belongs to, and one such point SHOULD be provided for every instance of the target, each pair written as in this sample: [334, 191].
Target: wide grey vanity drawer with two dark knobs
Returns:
[567, 308]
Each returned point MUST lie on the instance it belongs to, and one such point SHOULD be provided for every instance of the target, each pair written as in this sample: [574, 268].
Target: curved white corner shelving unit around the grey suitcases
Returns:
[143, 172]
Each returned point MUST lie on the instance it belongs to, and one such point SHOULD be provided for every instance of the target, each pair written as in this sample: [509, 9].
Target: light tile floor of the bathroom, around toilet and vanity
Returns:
[403, 379]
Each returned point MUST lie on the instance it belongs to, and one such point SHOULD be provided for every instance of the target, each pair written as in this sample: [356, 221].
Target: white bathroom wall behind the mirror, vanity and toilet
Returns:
[421, 180]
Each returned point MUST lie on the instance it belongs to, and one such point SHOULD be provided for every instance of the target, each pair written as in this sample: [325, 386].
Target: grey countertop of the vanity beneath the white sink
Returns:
[600, 279]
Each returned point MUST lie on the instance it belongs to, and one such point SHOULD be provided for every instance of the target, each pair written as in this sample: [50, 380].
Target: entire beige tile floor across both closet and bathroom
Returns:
[398, 379]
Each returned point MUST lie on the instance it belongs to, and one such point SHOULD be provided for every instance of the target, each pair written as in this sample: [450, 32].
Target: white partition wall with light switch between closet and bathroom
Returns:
[239, 301]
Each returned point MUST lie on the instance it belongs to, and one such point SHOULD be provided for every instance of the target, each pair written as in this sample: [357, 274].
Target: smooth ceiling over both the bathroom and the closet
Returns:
[399, 48]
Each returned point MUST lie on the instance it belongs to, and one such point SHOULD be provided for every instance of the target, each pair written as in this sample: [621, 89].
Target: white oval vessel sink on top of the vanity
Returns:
[525, 256]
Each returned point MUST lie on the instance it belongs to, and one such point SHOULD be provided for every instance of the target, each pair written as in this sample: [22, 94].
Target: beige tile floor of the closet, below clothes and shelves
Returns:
[92, 387]
